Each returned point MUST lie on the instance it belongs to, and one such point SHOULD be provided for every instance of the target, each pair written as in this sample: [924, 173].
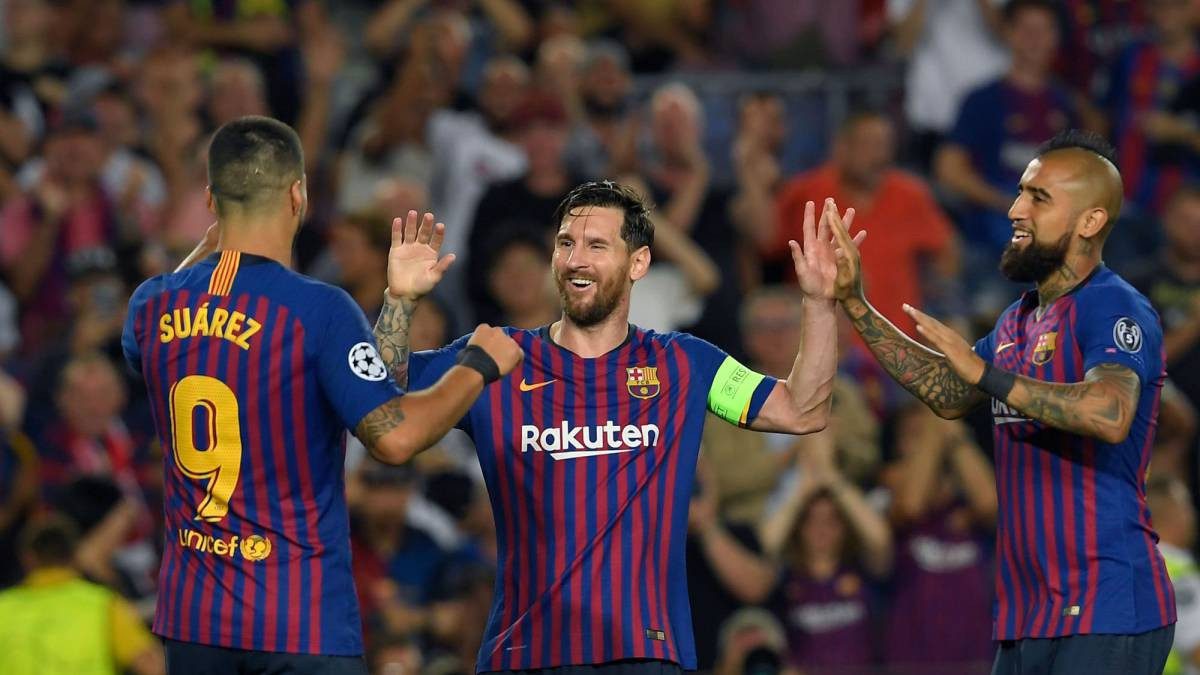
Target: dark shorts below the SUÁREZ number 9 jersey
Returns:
[190, 659]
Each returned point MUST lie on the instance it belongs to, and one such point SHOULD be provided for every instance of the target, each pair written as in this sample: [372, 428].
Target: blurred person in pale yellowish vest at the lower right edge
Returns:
[1175, 521]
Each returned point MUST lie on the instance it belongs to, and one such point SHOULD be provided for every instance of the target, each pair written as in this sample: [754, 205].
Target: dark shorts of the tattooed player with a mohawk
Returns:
[1144, 654]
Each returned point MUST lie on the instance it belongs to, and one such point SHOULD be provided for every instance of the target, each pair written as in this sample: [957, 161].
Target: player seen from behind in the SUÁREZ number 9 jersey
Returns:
[254, 374]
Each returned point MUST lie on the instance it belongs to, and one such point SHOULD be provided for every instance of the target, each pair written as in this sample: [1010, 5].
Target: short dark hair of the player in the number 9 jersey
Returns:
[250, 159]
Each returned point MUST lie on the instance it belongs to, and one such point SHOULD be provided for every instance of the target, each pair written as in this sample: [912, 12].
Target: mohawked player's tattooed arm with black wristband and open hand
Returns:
[1102, 407]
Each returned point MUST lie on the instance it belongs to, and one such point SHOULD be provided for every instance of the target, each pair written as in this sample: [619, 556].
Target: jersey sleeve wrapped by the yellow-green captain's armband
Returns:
[736, 393]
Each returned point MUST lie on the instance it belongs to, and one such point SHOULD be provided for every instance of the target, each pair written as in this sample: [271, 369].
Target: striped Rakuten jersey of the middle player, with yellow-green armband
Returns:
[590, 465]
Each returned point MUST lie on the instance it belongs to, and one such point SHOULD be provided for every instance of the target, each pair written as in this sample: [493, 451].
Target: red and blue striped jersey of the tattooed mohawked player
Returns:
[1076, 549]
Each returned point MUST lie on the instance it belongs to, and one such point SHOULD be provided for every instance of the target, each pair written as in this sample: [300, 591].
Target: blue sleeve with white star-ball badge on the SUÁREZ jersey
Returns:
[352, 373]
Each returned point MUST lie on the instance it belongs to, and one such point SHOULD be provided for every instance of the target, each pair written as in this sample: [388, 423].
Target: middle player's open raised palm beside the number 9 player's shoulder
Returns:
[413, 264]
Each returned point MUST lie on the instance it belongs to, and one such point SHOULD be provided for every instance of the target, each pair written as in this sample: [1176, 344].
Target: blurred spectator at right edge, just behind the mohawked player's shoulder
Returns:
[1173, 285]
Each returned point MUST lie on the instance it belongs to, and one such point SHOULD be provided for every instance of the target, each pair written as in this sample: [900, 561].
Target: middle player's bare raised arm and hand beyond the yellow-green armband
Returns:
[801, 404]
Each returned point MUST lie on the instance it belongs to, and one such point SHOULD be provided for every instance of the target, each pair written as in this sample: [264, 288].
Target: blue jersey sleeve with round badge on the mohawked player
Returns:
[1120, 327]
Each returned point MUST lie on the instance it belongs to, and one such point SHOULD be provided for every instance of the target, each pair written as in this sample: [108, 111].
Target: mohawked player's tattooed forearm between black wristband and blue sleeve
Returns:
[1102, 407]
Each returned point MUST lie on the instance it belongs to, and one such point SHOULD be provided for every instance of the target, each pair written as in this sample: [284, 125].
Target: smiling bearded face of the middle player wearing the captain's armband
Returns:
[592, 265]
